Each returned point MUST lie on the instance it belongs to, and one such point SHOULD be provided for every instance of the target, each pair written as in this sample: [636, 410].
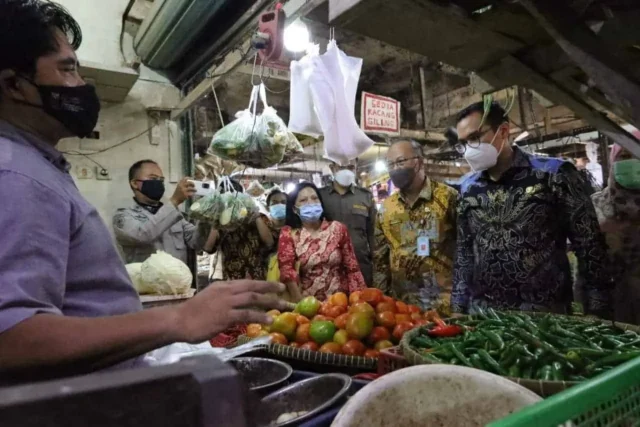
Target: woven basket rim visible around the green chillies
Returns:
[542, 388]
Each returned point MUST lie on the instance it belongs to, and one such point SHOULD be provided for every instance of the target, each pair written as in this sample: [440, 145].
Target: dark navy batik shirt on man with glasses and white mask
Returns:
[512, 240]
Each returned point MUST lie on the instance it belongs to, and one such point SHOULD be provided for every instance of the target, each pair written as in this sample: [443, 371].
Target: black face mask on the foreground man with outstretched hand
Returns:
[77, 108]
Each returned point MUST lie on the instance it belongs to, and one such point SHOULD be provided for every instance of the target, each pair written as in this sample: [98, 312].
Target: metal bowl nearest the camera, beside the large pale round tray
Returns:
[311, 396]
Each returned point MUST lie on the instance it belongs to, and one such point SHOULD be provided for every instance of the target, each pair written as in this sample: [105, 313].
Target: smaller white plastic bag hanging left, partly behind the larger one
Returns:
[303, 118]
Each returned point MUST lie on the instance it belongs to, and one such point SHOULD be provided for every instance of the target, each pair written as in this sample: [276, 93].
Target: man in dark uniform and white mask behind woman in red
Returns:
[353, 206]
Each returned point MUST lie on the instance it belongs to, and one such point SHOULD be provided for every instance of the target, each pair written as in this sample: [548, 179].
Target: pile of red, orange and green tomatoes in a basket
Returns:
[361, 324]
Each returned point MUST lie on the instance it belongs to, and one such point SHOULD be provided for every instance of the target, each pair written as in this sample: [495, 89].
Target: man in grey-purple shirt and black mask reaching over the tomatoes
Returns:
[67, 306]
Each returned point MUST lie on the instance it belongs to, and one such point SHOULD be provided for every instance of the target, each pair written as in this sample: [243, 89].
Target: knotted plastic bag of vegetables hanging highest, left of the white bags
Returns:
[255, 140]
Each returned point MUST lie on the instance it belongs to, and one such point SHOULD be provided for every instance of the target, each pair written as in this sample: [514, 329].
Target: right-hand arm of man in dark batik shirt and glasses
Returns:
[588, 242]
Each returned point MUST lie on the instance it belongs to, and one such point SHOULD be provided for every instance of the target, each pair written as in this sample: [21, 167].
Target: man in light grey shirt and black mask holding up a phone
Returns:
[149, 225]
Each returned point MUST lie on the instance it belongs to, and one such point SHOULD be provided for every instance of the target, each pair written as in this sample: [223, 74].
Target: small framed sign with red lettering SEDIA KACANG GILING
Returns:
[380, 114]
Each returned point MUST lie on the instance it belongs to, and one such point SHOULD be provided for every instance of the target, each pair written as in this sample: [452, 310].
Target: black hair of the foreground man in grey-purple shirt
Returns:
[28, 32]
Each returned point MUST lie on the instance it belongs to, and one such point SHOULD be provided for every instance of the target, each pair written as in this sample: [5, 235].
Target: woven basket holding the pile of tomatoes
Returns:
[316, 357]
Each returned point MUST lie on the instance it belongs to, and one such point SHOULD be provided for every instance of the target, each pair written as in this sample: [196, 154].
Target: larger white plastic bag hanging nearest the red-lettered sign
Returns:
[333, 87]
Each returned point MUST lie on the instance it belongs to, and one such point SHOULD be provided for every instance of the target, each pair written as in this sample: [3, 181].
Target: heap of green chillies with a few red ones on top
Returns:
[548, 348]
